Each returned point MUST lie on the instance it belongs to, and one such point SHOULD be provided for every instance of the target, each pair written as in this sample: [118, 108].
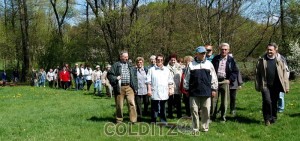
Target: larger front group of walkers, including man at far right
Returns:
[202, 82]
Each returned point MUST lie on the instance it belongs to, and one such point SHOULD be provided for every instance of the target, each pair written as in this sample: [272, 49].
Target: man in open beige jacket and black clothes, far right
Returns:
[271, 79]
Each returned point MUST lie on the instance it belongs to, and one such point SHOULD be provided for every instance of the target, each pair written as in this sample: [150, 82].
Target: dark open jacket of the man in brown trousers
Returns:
[115, 71]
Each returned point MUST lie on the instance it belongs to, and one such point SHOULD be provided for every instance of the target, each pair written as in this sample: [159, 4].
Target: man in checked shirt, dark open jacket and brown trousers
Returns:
[124, 82]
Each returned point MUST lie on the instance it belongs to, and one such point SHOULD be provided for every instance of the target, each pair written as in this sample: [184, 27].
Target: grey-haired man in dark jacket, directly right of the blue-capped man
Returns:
[227, 72]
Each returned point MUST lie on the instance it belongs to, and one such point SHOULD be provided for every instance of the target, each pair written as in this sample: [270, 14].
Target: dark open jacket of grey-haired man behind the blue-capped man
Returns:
[231, 68]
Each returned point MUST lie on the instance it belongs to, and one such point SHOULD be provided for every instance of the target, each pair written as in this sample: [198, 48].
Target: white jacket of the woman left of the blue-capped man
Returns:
[159, 80]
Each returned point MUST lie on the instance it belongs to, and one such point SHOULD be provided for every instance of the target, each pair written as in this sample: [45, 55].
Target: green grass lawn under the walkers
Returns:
[32, 113]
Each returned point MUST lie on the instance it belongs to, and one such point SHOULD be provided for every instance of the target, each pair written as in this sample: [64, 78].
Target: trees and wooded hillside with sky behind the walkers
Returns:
[47, 33]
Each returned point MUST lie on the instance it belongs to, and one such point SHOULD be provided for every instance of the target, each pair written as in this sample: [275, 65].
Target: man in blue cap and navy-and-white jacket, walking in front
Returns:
[201, 82]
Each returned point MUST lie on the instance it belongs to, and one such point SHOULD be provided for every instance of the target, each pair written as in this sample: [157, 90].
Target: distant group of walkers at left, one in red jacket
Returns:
[76, 77]
